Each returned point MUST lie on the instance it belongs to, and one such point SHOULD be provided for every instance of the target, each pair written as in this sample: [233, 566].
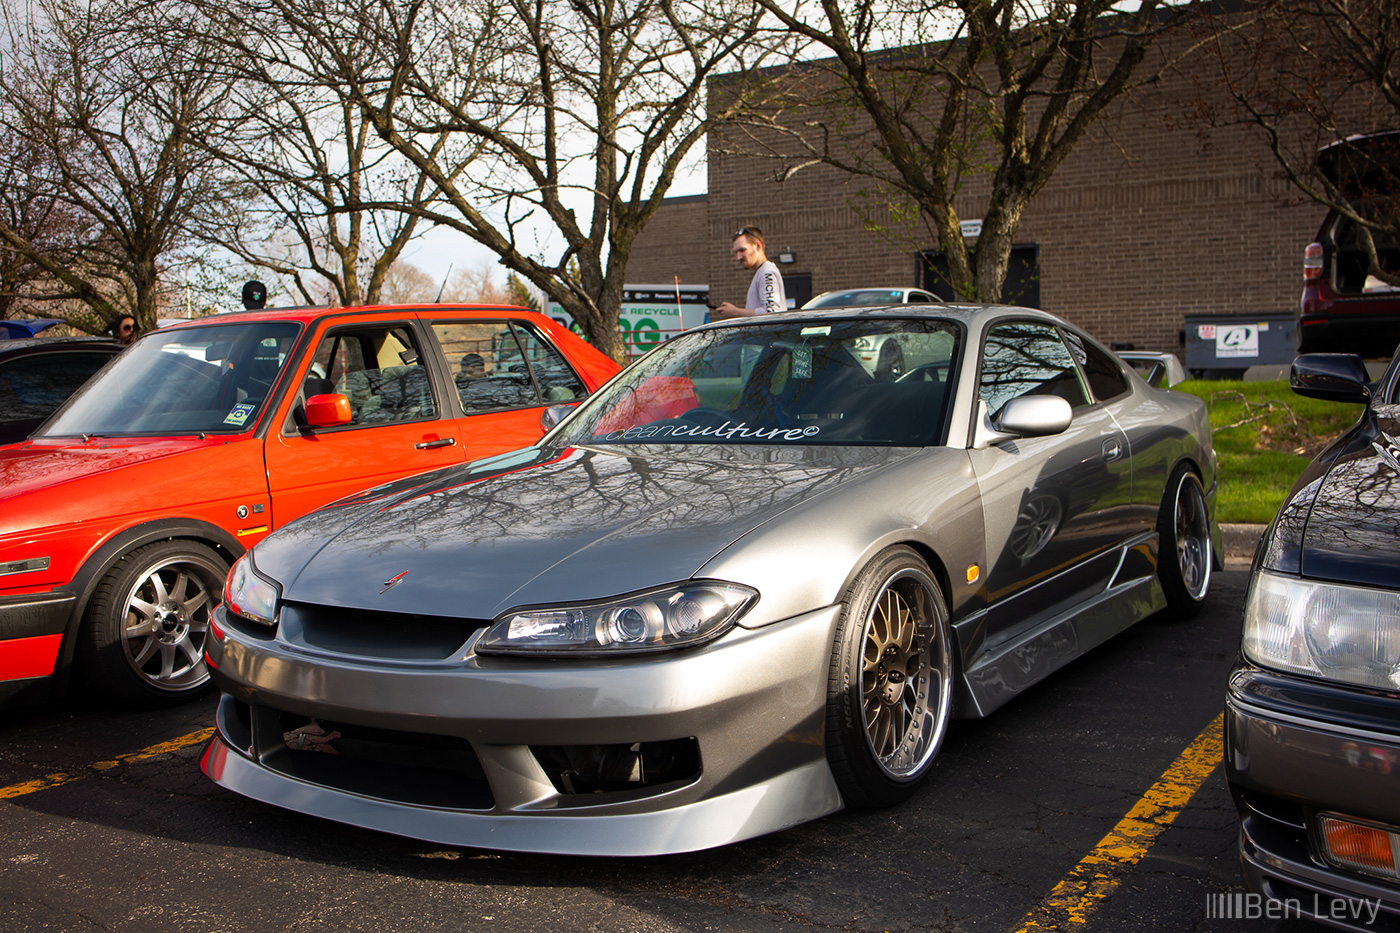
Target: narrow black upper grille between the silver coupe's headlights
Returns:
[383, 635]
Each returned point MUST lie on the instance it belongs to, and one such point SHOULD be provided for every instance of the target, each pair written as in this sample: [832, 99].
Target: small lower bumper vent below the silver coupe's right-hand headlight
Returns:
[590, 770]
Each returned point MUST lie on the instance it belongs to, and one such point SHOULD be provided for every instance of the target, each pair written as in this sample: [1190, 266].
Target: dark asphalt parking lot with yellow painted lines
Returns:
[110, 824]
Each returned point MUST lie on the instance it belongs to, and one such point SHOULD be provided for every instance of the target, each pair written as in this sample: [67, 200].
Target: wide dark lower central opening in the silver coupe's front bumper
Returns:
[409, 768]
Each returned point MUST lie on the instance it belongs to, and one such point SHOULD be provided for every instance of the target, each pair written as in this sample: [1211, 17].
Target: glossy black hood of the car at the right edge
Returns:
[1352, 533]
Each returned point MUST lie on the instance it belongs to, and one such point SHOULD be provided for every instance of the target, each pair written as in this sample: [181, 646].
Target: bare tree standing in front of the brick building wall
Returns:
[923, 96]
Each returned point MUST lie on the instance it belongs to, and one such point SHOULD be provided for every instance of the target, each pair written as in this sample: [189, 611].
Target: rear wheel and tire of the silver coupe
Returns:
[1185, 544]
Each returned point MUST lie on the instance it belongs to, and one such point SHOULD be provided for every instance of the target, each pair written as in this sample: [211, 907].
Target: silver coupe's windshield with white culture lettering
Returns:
[852, 383]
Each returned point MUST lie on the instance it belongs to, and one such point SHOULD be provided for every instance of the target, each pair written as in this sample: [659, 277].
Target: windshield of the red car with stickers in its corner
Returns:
[212, 380]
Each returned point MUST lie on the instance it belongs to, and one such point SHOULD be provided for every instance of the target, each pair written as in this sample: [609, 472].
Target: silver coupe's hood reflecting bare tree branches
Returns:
[548, 526]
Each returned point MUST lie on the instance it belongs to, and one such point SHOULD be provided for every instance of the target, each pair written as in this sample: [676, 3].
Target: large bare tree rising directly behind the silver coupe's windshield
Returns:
[551, 132]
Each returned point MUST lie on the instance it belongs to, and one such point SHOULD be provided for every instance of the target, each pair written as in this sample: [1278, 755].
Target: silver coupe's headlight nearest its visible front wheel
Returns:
[673, 617]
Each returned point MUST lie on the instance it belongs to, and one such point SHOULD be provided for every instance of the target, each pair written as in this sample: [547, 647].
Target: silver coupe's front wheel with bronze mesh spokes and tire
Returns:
[890, 691]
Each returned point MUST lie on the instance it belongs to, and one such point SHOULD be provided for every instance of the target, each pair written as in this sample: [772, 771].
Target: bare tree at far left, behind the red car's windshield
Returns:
[110, 125]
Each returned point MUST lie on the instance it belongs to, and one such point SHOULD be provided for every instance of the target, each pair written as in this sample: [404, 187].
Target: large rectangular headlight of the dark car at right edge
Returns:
[1340, 633]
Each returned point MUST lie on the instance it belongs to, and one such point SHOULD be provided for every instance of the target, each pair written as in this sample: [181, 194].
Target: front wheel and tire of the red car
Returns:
[146, 624]
